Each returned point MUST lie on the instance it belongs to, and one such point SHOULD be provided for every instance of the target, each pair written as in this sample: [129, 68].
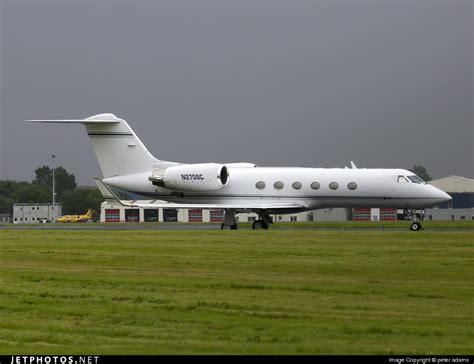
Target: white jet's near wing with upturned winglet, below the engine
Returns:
[112, 198]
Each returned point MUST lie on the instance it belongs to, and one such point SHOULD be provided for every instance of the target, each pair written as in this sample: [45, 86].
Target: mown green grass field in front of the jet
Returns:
[374, 291]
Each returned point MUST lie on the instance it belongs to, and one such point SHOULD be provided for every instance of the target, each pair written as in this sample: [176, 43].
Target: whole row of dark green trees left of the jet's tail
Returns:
[73, 200]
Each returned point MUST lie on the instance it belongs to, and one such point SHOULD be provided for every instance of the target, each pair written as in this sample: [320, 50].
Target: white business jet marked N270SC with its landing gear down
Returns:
[243, 187]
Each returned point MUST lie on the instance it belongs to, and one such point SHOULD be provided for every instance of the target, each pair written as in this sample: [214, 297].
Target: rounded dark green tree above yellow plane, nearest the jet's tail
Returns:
[79, 200]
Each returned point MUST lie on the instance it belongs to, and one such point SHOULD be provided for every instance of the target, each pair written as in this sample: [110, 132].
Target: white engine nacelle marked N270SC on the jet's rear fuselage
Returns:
[192, 177]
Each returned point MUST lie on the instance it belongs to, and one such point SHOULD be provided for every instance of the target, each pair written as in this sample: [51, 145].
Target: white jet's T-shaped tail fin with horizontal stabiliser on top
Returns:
[118, 149]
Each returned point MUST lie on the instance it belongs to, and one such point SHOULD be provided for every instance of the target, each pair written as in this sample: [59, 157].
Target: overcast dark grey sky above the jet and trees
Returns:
[279, 83]
